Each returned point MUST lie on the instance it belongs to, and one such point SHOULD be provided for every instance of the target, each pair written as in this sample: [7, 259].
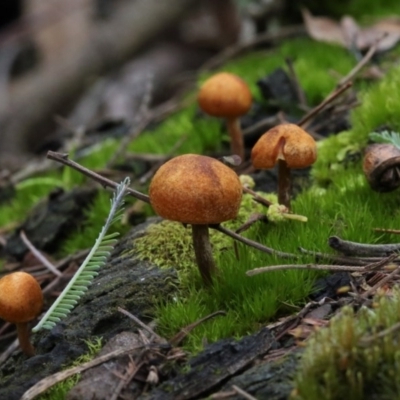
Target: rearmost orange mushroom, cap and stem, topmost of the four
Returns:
[227, 96]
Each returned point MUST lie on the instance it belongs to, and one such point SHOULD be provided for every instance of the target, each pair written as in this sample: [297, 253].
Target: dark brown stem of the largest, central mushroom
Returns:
[203, 252]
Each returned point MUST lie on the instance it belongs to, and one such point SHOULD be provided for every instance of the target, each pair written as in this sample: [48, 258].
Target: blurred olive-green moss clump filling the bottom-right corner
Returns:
[356, 357]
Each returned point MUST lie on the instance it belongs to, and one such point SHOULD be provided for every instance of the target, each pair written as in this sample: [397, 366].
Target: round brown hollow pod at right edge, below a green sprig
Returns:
[381, 167]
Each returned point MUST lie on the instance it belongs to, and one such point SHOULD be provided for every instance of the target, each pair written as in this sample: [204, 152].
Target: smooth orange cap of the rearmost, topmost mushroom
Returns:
[225, 95]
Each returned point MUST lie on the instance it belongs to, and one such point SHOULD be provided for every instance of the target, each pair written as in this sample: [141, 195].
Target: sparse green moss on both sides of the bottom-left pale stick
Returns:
[60, 390]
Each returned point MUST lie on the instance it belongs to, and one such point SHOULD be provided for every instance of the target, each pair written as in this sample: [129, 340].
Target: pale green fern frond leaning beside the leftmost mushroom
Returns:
[97, 257]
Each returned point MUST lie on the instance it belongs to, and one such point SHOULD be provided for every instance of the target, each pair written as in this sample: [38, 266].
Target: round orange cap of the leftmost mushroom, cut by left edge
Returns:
[21, 298]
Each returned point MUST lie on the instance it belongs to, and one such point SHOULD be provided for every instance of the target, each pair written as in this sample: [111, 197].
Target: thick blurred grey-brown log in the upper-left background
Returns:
[38, 95]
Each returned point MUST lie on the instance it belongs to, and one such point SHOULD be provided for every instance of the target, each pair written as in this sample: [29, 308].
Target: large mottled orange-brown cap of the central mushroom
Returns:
[195, 189]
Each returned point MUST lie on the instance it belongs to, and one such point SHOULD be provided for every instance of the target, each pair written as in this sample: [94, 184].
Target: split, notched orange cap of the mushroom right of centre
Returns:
[287, 142]
